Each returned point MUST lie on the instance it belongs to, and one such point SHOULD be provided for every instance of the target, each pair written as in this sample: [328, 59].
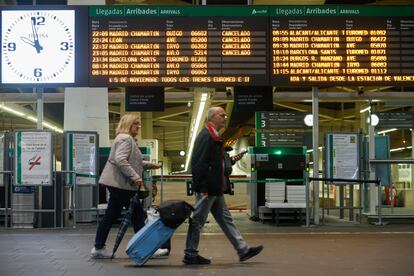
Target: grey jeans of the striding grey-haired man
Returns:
[218, 208]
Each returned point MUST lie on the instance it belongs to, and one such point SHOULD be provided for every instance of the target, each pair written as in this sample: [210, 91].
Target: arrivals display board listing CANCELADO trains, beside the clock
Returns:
[189, 46]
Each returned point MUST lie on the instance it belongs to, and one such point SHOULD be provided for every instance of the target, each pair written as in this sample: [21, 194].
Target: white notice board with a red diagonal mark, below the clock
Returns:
[24, 148]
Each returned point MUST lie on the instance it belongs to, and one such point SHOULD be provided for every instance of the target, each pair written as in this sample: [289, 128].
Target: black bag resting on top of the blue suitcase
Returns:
[174, 212]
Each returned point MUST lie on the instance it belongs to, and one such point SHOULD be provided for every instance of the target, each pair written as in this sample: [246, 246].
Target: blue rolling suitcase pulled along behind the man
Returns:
[147, 240]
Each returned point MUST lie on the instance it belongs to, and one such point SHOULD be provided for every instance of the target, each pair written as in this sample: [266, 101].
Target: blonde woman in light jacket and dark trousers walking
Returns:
[122, 176]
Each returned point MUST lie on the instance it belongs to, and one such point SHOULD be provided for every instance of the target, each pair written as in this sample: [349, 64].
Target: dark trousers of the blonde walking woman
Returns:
[118, 199]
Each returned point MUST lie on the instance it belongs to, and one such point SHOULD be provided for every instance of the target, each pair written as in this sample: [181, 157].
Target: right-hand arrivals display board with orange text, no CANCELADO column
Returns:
[324, 45]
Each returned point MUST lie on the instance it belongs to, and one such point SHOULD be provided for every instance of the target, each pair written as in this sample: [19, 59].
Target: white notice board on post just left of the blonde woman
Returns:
[70, 155]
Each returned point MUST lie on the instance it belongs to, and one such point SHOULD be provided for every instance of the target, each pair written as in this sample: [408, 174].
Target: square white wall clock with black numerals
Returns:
[38, 46]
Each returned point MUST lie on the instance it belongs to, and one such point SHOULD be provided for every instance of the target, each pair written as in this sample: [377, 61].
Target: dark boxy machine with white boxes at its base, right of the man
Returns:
[288, 163]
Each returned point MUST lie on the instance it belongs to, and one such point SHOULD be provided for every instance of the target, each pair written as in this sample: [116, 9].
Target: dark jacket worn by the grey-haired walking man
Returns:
[207, 164]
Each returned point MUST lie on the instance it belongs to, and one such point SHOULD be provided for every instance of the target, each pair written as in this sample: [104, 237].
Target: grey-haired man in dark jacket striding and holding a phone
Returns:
[209, 182]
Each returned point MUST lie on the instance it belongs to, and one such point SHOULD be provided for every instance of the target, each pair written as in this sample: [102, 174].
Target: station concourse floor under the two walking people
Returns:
[337, 249]
